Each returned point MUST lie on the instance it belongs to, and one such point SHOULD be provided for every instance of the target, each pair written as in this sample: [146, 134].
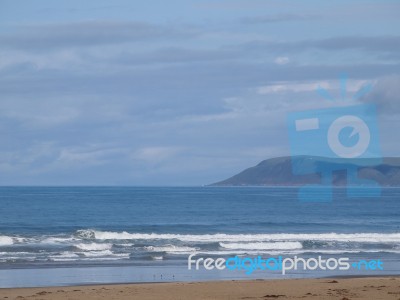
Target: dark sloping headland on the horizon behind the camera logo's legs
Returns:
[278, 172]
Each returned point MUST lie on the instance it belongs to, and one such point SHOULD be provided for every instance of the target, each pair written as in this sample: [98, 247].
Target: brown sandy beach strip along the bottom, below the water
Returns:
[342, 288]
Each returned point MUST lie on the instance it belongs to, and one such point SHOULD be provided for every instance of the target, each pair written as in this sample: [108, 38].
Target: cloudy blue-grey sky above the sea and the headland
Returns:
[180, 92]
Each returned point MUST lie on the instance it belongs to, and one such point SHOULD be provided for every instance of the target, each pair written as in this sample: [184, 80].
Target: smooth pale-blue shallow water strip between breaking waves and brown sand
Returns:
[120, 275]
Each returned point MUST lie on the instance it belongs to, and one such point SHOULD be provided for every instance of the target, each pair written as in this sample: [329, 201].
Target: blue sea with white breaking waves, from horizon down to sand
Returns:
[80, 235]
